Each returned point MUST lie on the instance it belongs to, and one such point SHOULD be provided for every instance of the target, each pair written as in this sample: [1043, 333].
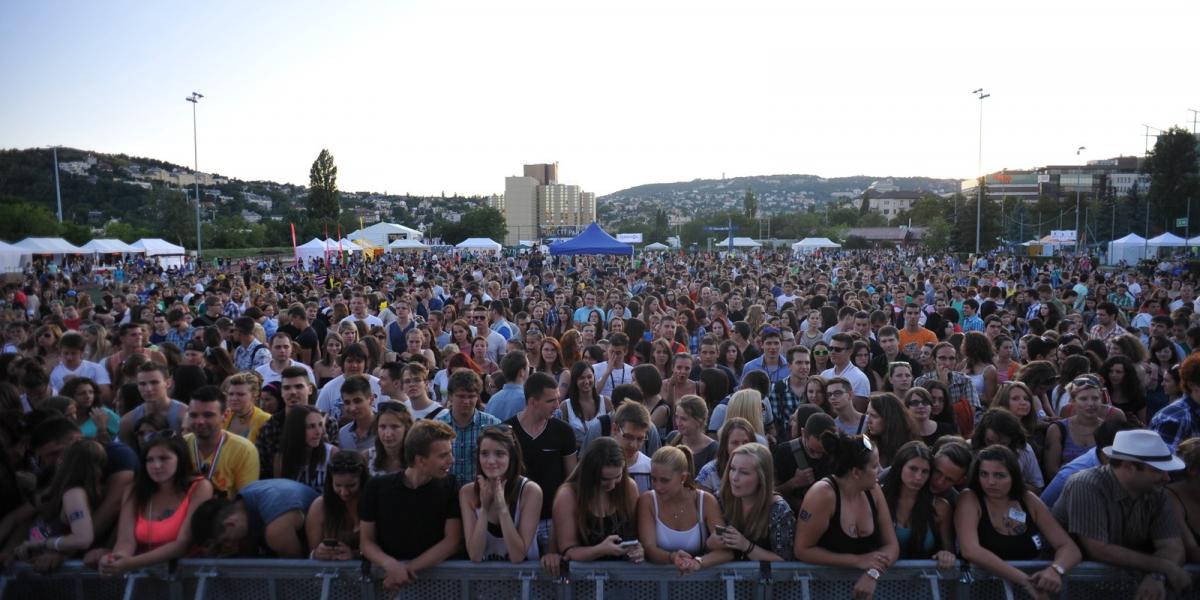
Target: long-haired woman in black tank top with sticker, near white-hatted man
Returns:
[998, 520]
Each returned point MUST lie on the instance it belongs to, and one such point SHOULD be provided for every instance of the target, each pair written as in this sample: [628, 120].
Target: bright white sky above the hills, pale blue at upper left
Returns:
[424, 98]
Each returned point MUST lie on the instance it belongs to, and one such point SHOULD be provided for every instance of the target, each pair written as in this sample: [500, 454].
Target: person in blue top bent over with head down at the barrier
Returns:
[265, 520]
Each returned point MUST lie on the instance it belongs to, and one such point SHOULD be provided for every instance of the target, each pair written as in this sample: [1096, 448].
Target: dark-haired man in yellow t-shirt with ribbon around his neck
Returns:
[227, 460]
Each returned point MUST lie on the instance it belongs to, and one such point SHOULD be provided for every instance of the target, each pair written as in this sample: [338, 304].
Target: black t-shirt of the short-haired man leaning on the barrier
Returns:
[409, 521]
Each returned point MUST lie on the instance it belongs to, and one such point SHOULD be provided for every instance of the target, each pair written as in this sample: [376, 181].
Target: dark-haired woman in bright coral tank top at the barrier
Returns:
[155, 517]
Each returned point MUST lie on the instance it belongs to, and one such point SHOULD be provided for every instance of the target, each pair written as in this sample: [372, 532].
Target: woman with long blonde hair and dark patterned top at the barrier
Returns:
[761, 524]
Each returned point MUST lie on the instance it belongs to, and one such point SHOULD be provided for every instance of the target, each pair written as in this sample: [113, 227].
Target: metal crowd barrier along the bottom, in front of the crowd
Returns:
[296, 580]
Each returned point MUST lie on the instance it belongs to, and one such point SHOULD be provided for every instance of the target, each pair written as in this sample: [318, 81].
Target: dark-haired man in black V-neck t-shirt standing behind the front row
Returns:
[548, 445]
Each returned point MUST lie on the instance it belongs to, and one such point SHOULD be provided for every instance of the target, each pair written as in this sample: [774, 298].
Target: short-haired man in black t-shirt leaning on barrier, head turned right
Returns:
[391, 537]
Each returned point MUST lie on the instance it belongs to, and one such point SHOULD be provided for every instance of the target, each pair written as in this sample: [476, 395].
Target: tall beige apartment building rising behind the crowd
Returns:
[536, 206]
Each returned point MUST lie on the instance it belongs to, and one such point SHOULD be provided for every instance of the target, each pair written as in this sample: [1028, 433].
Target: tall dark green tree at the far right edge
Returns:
[1173, 171]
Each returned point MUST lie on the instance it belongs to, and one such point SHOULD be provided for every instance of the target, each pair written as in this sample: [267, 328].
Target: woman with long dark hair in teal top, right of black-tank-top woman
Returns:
[923, 525]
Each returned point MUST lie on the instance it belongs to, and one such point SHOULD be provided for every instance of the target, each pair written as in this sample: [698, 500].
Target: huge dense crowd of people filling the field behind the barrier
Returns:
[845, 410]
